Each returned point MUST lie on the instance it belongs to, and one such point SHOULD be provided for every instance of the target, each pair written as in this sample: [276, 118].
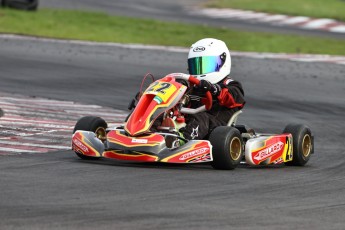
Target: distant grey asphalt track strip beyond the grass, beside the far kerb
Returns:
[177, 10]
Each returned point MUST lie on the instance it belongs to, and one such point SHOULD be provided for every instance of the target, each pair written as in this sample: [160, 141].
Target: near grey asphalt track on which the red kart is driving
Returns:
[59, 191]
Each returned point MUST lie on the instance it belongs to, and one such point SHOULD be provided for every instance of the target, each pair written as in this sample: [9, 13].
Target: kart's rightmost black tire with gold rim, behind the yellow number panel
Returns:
[302, 144]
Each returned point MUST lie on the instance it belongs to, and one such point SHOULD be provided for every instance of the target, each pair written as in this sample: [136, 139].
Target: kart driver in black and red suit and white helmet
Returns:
[209, 61]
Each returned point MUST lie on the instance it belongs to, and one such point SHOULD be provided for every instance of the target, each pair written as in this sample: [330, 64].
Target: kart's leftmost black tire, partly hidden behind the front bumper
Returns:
[92, 124]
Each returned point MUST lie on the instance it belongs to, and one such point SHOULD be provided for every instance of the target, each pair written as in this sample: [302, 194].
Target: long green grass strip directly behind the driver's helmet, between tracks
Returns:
[104, 28]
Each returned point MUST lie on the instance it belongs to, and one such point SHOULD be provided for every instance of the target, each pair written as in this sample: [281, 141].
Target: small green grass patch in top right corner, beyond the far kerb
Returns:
[313, 8]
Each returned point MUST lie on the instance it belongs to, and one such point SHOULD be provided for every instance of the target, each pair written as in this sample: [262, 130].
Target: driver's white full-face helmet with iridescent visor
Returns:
[209, 59]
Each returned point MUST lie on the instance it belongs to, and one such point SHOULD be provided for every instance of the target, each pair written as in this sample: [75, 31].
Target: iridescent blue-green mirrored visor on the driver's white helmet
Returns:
[204, 65]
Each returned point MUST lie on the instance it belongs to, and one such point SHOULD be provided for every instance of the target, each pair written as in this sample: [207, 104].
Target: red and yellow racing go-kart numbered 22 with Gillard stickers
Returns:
[167, 99]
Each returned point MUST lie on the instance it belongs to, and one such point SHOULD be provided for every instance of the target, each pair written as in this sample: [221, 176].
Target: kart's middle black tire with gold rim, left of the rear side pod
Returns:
[227, 147]
